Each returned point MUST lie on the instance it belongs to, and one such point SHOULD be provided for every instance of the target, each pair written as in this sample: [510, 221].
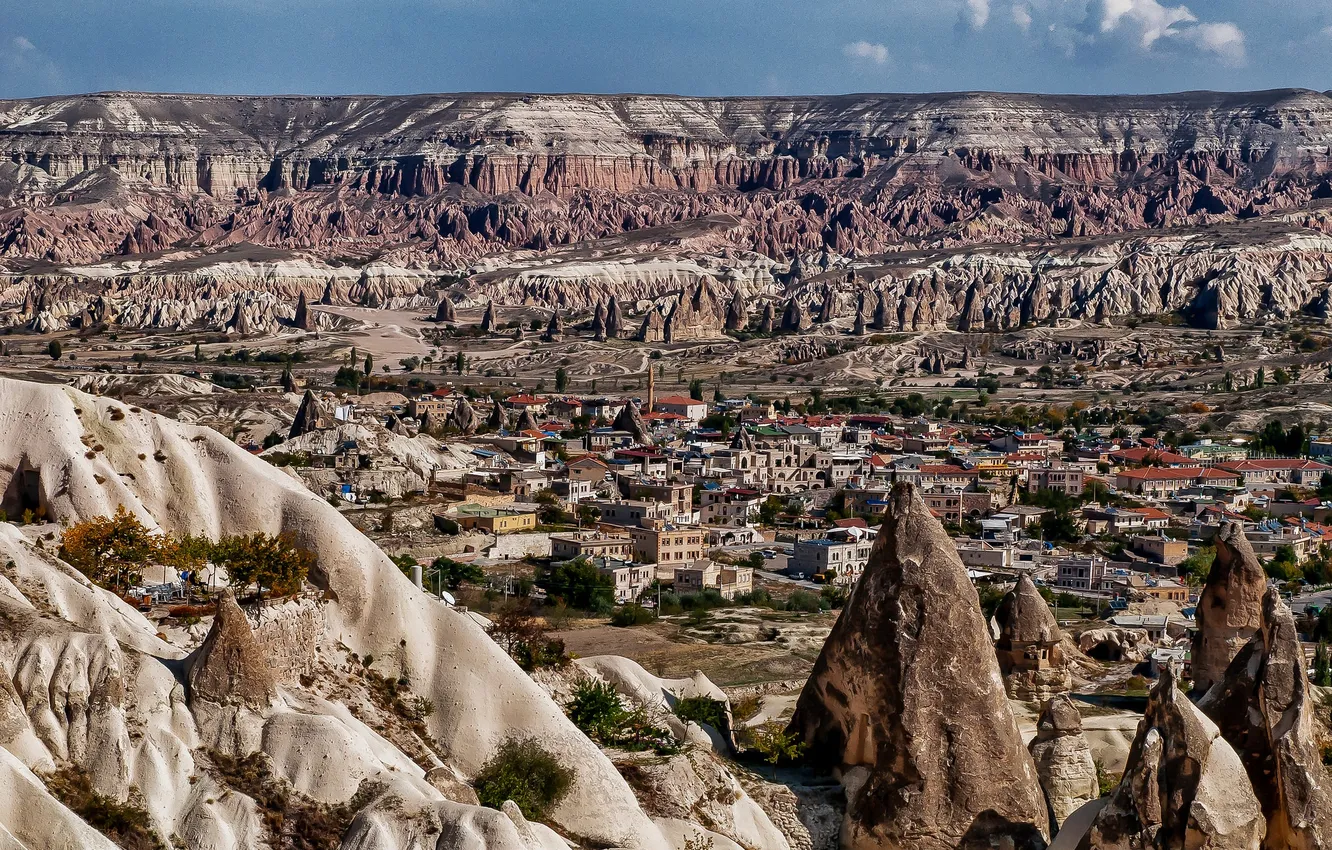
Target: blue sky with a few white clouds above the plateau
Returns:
[684, 47]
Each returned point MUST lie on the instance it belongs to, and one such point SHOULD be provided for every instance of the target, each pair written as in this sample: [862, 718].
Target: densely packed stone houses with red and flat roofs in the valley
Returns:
[655, 487]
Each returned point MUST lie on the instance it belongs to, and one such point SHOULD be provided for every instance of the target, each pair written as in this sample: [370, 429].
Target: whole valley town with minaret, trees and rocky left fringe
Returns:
[752, 499]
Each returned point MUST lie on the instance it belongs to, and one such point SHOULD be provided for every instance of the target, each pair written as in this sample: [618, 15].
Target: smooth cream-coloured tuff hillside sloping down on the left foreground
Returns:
[89, 683]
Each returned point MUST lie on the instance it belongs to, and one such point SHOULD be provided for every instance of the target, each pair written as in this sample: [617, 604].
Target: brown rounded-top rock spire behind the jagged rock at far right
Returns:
[1230, 610]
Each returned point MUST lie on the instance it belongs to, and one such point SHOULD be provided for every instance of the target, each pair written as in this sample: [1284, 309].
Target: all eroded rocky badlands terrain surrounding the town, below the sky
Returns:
[183, 280]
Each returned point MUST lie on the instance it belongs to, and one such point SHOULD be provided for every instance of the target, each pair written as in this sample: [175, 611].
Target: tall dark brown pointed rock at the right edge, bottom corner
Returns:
[1265, 709]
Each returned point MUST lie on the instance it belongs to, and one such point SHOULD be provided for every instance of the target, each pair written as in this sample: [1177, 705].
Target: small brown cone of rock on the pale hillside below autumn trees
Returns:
[230, 667]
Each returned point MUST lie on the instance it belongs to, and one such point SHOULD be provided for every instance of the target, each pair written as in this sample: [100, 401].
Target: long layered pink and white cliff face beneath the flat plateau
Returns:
[563, 202]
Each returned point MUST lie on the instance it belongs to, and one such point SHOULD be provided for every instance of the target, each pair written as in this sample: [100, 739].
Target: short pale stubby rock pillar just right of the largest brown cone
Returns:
[1064, 760]
